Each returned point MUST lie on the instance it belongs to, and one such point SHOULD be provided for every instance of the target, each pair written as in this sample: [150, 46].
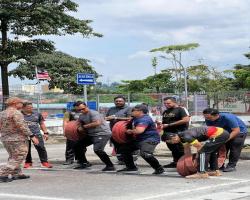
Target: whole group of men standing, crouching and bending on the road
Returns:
[20, 128]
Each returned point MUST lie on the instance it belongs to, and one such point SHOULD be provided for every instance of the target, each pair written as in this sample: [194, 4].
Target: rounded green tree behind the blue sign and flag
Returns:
[62, 69]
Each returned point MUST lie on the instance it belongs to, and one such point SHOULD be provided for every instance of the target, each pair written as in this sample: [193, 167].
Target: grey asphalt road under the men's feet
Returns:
[64, 183]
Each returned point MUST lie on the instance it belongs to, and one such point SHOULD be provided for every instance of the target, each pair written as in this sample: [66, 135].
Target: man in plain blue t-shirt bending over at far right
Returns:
[237, 129]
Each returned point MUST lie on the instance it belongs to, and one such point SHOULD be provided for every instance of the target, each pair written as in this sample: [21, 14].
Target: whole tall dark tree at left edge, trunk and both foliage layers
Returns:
[34, 18]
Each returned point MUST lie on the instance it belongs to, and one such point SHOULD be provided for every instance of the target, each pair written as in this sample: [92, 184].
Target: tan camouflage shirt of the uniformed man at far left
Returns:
[12, 125]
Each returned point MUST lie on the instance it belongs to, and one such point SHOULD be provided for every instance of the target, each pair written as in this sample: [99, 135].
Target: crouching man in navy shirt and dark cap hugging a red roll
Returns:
[146, 139]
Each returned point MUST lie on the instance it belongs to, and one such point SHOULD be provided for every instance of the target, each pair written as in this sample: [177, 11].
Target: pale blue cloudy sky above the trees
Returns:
[131, 28]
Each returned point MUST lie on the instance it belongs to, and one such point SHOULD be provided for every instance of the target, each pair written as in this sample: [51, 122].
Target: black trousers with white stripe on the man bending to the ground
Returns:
[208, 153]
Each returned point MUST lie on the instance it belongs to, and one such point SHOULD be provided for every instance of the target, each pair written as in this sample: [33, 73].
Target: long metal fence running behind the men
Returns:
[235, 101]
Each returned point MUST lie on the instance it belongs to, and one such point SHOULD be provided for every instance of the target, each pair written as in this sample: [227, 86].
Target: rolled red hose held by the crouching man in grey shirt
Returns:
[73, 131]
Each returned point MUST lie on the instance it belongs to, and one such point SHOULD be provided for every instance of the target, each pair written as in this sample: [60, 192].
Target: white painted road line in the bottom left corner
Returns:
[23, 196]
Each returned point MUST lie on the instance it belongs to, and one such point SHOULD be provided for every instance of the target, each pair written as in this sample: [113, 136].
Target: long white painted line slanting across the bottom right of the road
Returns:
[193, 190]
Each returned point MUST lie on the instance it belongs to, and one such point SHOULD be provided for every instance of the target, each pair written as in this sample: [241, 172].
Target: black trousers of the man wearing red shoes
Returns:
[41, 150]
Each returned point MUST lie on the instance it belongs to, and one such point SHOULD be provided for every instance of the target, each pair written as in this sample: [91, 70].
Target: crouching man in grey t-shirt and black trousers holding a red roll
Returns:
[98, 134]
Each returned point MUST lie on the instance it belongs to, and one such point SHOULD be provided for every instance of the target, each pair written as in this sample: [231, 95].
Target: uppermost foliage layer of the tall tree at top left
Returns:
[43, 17]
